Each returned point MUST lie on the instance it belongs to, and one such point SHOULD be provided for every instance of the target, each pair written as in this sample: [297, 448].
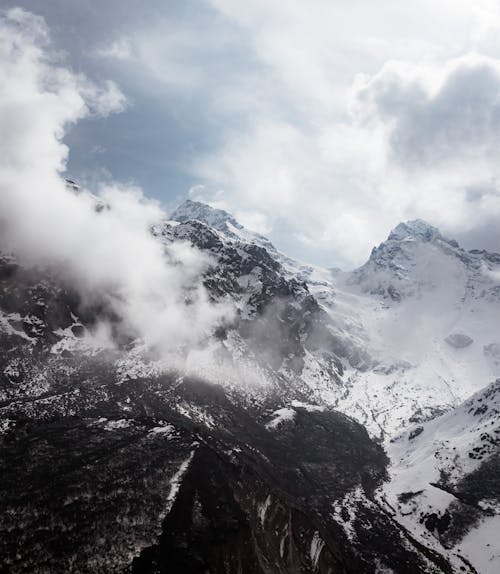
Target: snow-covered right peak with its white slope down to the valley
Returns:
[430, 312]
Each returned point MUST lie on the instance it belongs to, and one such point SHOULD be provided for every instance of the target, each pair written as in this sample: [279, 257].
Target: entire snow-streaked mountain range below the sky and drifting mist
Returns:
[290, 444]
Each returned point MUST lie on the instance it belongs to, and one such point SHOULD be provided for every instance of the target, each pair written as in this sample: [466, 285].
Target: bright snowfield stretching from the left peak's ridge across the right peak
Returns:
[394, 322]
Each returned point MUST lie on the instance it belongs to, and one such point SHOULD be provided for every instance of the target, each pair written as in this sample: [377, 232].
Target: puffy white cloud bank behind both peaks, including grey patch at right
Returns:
[414, 139]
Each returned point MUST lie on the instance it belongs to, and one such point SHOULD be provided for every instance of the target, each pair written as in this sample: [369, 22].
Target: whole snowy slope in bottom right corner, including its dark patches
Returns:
[444, 480]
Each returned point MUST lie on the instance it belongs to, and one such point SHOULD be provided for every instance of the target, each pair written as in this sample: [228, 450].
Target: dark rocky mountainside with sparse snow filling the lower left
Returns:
[169, 473]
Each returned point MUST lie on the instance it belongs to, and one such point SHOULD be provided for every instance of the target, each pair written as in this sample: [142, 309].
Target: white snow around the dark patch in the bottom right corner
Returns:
[444, 445]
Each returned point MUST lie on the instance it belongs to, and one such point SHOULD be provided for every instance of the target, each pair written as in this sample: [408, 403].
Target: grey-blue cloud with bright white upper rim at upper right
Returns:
[437, 114]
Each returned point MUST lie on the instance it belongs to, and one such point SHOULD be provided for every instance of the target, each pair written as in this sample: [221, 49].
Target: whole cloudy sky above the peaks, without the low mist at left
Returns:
[320, 124]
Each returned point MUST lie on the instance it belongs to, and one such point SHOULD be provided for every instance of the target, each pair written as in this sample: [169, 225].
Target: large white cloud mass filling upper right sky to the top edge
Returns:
[339, 157]
